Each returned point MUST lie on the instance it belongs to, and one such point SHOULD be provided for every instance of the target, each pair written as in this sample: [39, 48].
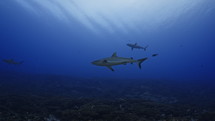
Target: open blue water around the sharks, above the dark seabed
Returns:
[64, 37]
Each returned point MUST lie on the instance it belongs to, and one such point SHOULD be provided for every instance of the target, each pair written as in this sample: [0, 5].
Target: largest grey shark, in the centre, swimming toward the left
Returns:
[115, 60]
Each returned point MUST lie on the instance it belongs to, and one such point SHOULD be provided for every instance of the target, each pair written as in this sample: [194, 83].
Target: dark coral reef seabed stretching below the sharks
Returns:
[60, 98]
